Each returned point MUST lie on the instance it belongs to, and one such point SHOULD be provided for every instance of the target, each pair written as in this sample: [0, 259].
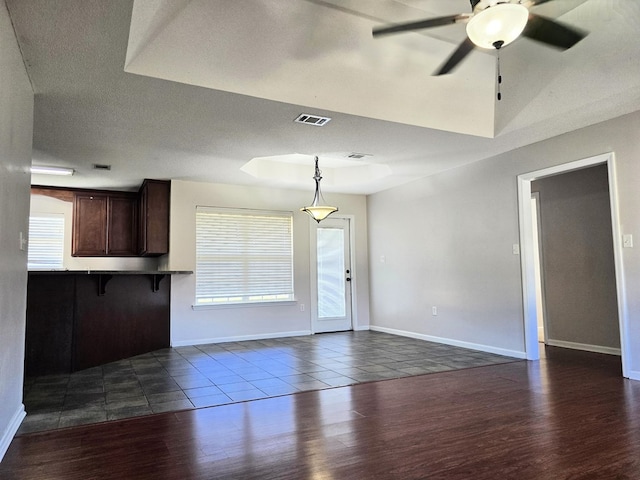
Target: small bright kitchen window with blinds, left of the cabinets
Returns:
[46, 241]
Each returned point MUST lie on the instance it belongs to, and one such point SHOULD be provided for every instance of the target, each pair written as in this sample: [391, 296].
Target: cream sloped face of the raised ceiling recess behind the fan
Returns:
[270, 49]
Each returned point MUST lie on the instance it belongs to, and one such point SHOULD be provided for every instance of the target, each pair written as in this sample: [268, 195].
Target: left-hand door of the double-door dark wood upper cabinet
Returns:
[89, 236]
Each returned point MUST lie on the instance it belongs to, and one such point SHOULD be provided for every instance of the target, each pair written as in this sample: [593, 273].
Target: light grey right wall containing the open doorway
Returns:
[447, 242]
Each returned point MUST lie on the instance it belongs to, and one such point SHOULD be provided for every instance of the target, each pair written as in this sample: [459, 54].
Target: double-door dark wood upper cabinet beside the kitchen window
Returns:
[104, 225]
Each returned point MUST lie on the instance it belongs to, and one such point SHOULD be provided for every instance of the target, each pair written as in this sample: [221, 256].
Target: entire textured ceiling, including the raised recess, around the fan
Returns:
[196, 89]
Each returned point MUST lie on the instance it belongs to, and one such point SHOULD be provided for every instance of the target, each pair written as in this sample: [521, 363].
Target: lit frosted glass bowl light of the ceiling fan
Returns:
[499, 24]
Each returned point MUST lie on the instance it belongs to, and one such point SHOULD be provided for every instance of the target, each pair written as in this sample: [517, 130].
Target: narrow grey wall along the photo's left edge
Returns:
[16, 121]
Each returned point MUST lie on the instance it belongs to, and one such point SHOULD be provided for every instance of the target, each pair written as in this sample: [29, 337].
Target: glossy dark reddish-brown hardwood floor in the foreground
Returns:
[569, 416]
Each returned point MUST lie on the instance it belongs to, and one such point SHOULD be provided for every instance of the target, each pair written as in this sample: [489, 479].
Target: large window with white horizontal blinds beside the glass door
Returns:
[243, 256]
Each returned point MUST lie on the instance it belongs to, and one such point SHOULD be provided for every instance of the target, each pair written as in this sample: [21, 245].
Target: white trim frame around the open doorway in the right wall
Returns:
[527, 258]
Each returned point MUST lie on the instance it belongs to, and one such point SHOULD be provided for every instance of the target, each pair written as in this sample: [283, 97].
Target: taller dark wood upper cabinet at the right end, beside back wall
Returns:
[153, 227]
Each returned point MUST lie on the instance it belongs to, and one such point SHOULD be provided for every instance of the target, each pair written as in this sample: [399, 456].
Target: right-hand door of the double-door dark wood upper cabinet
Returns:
[122, 226]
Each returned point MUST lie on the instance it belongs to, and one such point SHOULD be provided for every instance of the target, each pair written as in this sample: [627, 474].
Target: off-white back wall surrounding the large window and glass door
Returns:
[189, 326]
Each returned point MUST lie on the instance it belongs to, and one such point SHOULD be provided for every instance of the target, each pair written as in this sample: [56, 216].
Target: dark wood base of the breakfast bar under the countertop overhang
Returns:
[78, 321]
